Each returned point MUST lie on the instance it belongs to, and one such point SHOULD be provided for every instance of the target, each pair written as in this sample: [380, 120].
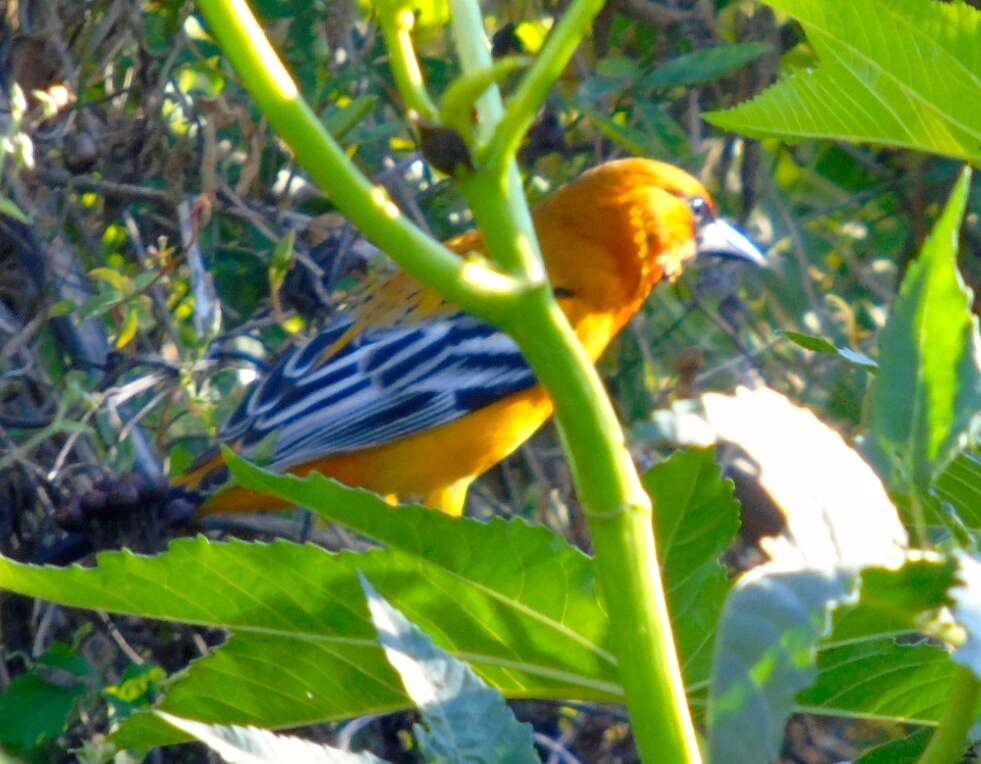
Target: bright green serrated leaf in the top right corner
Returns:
[896, 72]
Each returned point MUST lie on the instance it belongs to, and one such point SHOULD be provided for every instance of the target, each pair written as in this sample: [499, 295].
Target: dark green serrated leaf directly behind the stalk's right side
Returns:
[697, 518]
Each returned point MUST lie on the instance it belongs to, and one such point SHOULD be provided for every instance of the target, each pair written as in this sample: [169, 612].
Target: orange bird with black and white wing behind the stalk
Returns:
[412, 398]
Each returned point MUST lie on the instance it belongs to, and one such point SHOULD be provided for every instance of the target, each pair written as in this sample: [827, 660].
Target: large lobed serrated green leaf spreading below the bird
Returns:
[518, 602]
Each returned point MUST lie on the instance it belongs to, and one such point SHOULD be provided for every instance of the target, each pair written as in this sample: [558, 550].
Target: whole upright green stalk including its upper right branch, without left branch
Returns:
[617, 507]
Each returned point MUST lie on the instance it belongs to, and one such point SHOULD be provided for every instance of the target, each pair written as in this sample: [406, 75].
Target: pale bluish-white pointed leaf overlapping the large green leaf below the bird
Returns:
[465, 720]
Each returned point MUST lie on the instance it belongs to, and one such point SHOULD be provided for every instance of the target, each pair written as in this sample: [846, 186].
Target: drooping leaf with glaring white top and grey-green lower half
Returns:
[778, 613]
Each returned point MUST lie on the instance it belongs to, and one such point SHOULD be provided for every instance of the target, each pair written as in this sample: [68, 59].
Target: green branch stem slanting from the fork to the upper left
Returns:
[469, 284]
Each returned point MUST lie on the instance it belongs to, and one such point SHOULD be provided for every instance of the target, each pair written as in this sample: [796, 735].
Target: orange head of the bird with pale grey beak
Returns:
[647, 219]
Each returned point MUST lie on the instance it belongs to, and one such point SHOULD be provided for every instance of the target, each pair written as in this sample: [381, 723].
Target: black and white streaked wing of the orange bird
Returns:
[387, 383]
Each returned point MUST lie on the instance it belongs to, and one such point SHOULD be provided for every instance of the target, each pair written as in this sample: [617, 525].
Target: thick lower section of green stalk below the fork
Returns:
[619, 514]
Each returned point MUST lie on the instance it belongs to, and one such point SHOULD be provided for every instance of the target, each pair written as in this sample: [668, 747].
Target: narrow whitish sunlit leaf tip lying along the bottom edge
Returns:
[249, 745]
